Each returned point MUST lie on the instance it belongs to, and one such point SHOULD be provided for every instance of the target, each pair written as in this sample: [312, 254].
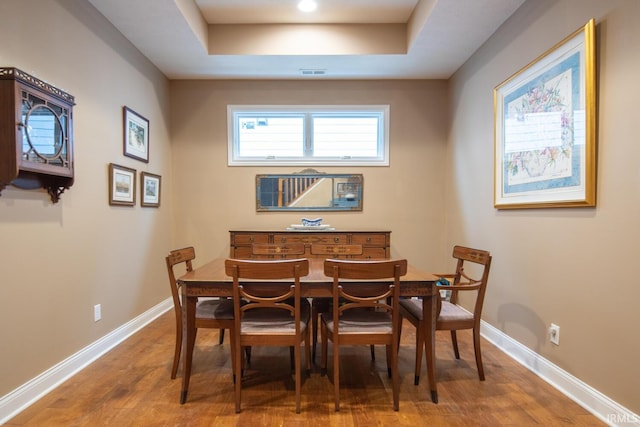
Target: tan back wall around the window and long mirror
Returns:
[405, 197]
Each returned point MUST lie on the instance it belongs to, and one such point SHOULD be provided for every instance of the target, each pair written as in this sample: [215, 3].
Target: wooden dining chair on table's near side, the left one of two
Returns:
[269, 311]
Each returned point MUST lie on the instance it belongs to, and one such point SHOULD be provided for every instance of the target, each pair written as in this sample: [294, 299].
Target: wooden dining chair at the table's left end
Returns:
[210, 313]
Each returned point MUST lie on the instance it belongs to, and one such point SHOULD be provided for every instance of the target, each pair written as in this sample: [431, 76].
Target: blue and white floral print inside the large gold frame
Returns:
[539, 126]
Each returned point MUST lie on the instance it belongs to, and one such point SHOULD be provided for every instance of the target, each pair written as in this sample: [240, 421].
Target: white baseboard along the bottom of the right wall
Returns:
[586, 396]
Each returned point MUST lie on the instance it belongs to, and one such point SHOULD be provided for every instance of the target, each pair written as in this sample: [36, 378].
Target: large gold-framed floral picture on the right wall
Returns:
[545, 129]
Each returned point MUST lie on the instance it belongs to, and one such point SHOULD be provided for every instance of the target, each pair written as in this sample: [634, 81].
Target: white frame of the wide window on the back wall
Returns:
[233, 141]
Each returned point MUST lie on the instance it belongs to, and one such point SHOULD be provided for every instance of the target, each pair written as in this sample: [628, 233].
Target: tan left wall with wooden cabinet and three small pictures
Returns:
[57, 261]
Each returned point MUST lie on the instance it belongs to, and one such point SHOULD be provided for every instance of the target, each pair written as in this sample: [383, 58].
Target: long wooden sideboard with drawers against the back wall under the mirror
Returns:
[375, 244]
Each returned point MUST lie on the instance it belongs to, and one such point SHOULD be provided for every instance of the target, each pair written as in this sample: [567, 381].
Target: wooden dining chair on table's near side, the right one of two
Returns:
[364, 311]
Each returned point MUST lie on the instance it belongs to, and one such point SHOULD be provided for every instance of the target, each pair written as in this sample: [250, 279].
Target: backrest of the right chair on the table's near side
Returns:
[356, 284]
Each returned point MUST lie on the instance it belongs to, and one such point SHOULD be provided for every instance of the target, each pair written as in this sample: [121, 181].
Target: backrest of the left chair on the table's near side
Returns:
[267, 284]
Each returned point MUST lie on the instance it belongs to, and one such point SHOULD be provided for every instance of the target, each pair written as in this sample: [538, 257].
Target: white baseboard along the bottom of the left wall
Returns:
[19, 399]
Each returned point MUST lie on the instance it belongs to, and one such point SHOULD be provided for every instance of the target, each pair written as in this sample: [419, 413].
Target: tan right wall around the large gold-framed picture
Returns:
[573, 267]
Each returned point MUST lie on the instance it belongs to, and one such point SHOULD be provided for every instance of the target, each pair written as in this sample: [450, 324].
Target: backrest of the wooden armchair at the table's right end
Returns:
[463, 278]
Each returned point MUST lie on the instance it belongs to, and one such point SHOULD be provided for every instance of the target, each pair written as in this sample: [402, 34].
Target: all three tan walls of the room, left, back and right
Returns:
[574, 267]
